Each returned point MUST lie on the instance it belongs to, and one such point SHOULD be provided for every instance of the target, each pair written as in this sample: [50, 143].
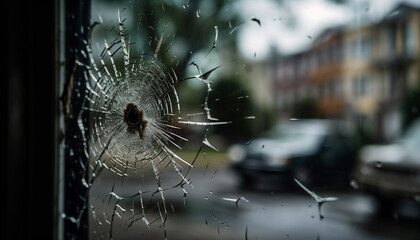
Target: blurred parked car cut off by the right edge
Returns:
[392, 172]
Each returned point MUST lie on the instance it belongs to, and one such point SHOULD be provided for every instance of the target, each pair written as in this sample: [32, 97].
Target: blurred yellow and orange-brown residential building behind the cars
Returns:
[357, 74]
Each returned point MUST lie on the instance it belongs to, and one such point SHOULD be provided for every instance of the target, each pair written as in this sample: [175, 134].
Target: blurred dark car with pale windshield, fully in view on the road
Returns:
[316, 152]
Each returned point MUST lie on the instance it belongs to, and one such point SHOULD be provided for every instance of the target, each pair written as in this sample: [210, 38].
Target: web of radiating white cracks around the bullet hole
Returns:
[136, 121]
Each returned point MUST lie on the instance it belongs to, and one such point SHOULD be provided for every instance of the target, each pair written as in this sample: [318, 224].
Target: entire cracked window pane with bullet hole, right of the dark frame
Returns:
[248, 120]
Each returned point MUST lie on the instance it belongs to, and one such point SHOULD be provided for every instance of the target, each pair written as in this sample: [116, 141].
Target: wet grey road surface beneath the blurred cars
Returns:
[209, 212]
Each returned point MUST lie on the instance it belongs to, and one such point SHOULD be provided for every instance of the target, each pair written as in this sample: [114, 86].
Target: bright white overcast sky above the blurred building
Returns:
[292, 25]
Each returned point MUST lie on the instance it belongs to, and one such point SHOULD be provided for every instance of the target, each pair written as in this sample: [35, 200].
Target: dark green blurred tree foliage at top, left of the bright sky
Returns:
[191, 32]
